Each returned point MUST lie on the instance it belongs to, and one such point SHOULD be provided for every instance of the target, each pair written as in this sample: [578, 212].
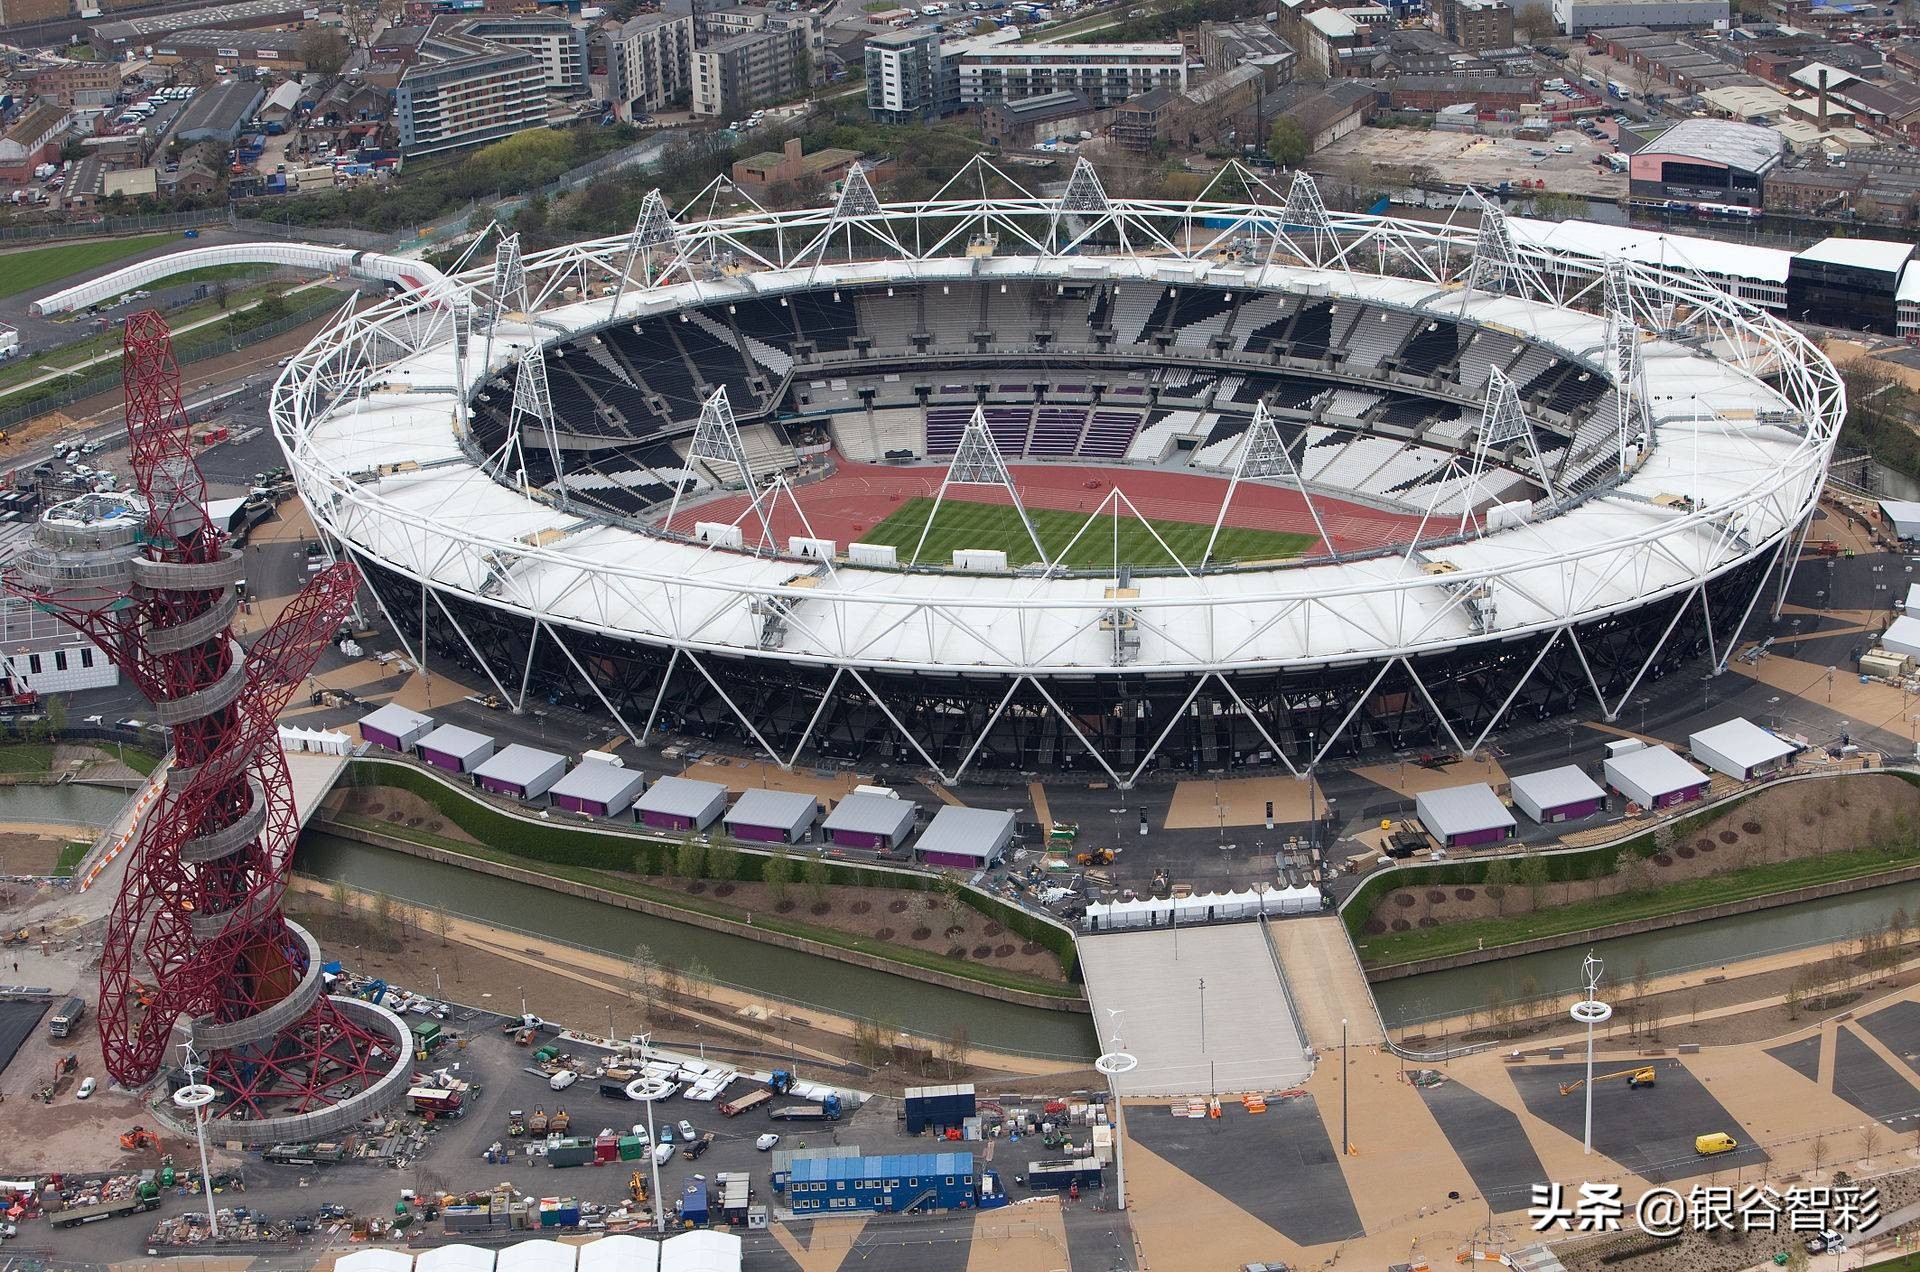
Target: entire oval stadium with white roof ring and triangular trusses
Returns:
[999, 481]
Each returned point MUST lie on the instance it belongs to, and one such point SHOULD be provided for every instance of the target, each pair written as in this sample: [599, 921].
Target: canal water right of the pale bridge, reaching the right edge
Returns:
[1714, 942]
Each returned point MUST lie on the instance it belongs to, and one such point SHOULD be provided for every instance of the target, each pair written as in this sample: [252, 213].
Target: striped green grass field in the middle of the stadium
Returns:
[997, 526]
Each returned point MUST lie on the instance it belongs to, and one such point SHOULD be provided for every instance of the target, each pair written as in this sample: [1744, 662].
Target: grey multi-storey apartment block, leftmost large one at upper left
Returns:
[468, 91]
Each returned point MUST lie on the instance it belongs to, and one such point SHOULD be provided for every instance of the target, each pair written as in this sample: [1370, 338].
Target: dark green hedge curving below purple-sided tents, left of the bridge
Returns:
[606, 850]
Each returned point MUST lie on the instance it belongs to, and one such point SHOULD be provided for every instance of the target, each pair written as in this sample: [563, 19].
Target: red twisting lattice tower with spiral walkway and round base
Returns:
[197, 937]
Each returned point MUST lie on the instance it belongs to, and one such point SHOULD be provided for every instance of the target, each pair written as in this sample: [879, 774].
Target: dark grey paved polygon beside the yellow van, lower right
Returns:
[1650, 1131]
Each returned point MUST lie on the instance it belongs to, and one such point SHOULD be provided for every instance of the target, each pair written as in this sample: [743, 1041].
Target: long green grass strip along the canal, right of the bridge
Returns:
[1691, 894]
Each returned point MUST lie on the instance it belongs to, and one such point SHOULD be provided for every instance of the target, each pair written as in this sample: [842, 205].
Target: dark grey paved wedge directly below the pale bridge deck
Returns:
[1280, 1165]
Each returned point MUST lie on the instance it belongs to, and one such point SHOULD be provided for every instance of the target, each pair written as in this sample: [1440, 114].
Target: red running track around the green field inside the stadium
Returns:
[863, 495]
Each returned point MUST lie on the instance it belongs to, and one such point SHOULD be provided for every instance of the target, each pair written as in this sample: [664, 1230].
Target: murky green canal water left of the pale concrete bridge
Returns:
[786, 975]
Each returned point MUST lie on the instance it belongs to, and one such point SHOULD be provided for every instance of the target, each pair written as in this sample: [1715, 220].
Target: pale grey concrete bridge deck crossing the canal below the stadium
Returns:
[1236, 1037]
